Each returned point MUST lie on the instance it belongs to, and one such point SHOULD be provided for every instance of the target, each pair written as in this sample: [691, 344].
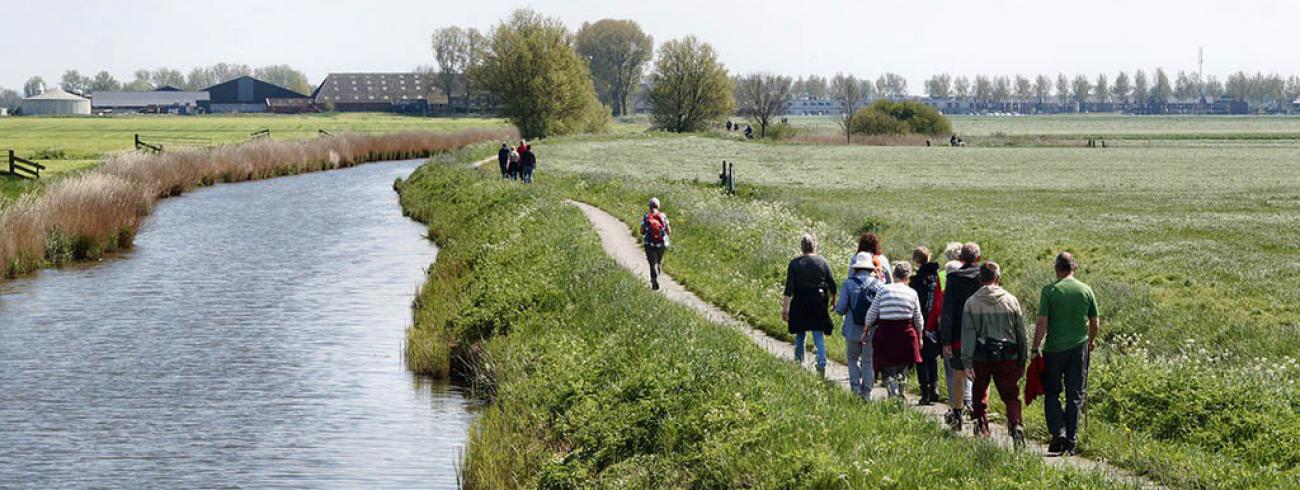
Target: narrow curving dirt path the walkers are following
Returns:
[621, 245]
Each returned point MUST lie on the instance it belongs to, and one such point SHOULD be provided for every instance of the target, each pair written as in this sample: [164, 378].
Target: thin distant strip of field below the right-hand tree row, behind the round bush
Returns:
[1110, 127]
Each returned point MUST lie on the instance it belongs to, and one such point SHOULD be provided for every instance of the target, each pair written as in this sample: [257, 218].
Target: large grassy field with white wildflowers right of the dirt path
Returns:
[1195, 384]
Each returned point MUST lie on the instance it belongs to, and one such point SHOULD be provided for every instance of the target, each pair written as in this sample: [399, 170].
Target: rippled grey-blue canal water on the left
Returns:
[253, 339]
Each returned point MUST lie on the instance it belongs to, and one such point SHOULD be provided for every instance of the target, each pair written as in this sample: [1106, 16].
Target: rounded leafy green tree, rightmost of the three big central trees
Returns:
[688, 86]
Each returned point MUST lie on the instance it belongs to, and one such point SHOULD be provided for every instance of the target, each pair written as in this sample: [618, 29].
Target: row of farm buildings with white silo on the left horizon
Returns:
[400, 93]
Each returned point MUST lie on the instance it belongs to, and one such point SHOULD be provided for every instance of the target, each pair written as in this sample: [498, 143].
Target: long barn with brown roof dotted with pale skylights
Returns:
[404, 93]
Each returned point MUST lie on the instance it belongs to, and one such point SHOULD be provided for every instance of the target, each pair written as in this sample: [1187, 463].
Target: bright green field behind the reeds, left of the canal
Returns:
[70, 144]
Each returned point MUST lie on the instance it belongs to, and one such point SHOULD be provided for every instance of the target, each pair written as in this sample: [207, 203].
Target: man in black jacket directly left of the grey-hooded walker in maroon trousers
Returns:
[961, 285]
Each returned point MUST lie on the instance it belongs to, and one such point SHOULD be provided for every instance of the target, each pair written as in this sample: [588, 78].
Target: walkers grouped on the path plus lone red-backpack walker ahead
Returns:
[911, 315]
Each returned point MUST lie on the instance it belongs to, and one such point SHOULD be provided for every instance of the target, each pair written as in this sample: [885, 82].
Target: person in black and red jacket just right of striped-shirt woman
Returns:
[926, 284]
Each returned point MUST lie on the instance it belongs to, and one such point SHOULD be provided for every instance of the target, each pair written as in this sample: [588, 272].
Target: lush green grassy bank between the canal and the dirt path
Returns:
[597, 383]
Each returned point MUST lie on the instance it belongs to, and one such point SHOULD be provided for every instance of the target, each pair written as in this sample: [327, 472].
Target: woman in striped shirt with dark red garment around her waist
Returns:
[895, 323]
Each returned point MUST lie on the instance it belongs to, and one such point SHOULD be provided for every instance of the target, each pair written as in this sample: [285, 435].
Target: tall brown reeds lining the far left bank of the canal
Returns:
[98, 213]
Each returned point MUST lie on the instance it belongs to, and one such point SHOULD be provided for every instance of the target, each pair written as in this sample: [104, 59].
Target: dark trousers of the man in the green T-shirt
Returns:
[1071, 367]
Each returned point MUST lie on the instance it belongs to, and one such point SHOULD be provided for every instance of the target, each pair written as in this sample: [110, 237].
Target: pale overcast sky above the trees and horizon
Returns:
[915, 38]
